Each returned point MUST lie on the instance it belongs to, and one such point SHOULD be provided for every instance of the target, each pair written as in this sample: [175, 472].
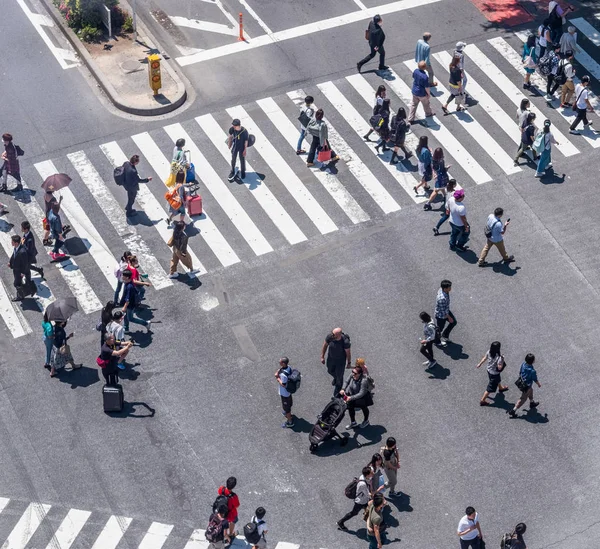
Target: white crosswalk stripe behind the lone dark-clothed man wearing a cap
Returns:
[257, 188]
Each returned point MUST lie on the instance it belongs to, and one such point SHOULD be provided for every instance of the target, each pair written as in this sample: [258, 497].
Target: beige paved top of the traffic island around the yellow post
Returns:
[120, 67]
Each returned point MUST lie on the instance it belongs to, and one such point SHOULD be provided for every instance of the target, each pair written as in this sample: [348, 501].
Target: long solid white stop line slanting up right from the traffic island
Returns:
[303, 30]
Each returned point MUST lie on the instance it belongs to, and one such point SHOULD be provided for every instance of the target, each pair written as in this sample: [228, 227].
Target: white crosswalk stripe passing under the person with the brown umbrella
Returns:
[83, 226]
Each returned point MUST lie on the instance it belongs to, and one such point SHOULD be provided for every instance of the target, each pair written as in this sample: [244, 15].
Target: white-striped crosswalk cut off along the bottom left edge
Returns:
[37, 525]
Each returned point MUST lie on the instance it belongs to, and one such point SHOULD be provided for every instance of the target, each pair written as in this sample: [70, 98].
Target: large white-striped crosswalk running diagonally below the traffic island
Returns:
[282, 204]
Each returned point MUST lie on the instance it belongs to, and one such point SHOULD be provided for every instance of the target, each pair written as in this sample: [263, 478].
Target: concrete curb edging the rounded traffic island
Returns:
[106, 86]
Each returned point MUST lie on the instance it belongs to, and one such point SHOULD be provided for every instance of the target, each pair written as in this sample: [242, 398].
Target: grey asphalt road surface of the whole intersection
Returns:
[202, 403]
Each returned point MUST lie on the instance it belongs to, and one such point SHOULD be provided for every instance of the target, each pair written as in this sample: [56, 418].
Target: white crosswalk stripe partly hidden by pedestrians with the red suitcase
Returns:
[208, 230]
